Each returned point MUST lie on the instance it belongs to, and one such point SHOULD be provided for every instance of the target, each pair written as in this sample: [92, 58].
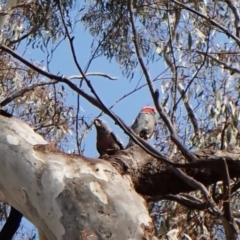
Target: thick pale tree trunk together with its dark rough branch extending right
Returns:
[71, 197]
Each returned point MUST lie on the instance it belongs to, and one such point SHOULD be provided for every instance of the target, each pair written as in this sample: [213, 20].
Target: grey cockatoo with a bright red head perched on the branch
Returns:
[144, 124]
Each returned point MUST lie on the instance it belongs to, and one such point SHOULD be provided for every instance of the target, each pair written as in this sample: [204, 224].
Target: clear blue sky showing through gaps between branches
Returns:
[109, 91]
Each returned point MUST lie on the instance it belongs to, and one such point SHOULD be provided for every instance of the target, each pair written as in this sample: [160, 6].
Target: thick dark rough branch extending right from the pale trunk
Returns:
[149, 174]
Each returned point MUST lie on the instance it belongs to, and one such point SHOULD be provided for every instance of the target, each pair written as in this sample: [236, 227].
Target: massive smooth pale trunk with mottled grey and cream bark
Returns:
[67, 196]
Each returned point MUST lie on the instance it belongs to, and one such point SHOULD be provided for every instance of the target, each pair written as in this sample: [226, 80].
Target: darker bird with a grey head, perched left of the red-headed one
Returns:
[107, 141]
